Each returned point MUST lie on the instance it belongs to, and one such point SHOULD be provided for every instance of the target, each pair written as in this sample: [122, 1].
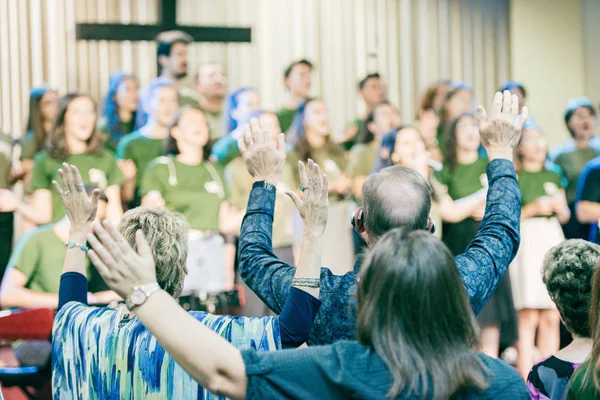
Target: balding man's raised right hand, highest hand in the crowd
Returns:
[501, 131]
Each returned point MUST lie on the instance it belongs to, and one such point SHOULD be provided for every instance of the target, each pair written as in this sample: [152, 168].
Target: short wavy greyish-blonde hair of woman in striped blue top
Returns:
[166, 233]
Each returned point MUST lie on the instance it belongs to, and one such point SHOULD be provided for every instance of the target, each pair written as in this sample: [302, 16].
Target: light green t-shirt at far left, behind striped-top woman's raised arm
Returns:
[40, 256]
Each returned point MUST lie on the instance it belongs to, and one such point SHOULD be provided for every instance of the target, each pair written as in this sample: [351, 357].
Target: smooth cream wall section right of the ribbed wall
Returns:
[546, 42]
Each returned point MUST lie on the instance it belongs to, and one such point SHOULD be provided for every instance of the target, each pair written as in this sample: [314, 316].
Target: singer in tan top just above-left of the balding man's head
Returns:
[380, 121]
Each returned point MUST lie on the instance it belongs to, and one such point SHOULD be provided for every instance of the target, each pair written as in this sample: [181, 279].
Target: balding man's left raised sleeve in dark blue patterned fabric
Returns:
[260, 269]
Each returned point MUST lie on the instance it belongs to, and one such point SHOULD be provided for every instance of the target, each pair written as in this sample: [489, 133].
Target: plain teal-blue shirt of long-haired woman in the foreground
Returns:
[350, 370]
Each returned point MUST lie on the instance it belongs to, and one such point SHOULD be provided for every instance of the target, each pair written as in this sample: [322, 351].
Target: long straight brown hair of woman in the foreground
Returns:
[413, 311]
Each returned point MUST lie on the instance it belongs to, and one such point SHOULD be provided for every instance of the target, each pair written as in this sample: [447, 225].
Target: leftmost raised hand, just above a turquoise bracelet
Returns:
[80, 209]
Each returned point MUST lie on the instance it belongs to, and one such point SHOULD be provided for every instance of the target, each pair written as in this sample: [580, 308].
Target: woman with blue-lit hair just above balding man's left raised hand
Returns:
[240, 104]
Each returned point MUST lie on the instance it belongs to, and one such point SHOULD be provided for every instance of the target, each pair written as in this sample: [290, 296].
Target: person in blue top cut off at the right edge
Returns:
[587, 200]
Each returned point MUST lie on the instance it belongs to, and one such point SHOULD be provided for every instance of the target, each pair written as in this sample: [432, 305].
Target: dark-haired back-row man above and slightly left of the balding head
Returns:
[373, 92]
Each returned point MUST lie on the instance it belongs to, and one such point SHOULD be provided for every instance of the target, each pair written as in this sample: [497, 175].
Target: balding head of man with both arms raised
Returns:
[395, 197]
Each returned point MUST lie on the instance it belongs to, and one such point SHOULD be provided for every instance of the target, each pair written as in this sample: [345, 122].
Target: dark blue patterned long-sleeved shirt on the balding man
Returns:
[481, 266]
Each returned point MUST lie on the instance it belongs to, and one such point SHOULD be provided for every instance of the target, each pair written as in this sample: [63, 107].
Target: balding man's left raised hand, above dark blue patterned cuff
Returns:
[264, 157]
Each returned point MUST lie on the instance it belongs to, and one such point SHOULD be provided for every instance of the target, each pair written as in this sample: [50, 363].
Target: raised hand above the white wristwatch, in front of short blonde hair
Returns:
[121, 267]
